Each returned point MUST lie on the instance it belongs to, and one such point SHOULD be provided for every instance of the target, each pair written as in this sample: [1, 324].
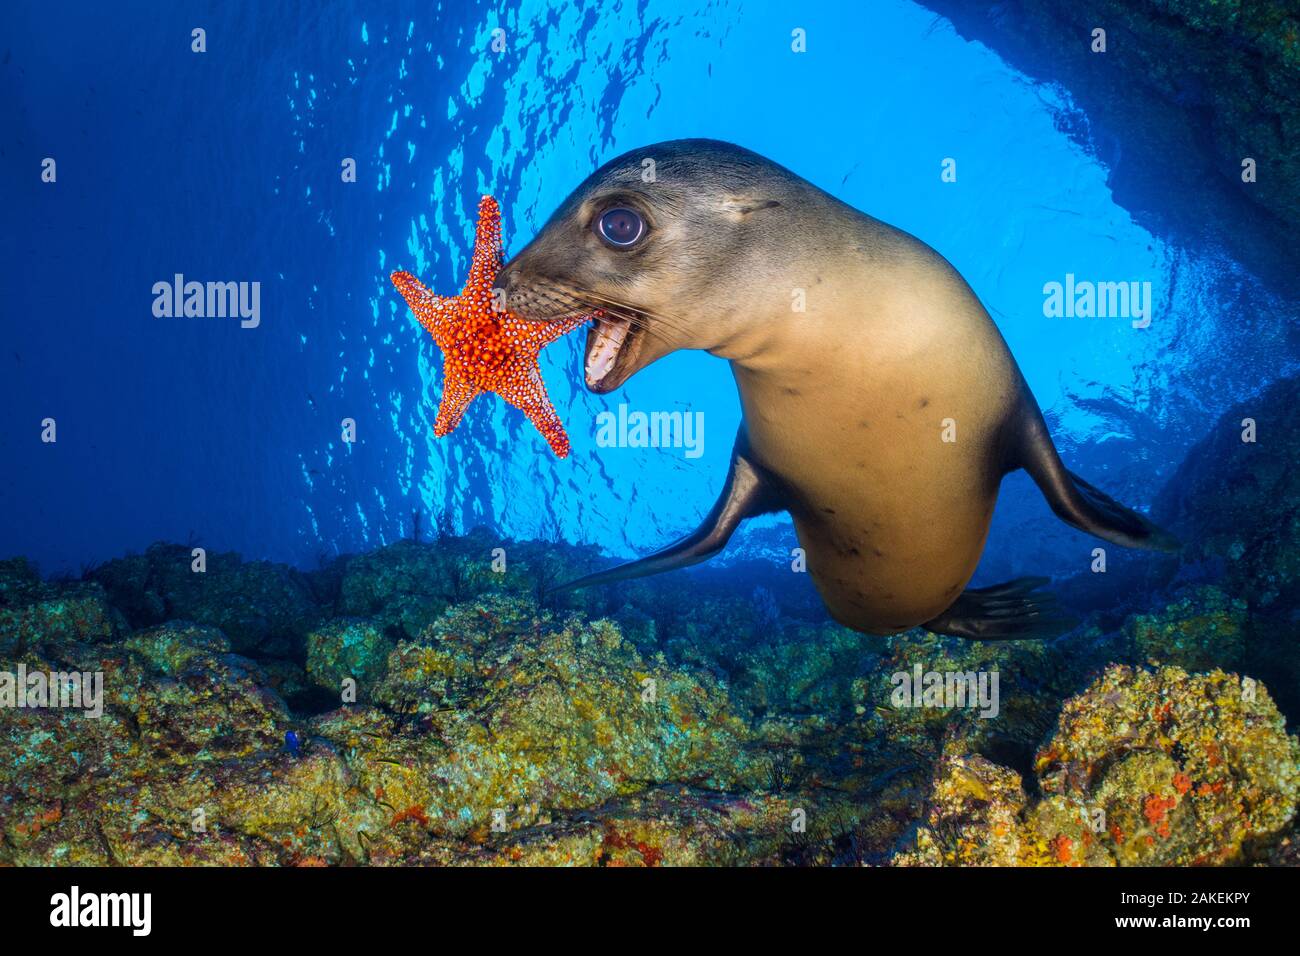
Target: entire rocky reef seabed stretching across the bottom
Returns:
[435, 703]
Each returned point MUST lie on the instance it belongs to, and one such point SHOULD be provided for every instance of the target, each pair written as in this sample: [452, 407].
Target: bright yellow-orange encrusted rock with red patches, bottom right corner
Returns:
[1146, 769]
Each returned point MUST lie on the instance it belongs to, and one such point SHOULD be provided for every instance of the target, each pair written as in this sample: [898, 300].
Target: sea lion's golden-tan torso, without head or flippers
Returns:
[852, 423]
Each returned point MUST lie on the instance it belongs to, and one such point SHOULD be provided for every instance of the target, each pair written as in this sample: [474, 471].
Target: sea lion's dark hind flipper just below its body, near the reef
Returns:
[1012, 612]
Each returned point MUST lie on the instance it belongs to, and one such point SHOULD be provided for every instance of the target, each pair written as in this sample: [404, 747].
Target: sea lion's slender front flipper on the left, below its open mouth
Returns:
[746, 495]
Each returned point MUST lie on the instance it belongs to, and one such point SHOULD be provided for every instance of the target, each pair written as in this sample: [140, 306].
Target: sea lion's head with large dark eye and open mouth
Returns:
[670, 244]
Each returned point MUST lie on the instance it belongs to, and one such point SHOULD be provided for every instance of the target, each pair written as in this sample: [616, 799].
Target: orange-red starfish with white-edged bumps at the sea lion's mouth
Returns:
[486, 349]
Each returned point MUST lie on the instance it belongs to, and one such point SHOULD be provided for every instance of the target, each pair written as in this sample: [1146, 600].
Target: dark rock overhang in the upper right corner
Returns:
[1214, 84]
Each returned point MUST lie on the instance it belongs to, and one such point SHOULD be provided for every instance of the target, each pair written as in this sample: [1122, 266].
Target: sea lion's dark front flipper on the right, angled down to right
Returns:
[1077, 503]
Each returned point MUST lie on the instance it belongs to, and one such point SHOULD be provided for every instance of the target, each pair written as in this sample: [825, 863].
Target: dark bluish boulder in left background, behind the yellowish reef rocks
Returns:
[265, 609]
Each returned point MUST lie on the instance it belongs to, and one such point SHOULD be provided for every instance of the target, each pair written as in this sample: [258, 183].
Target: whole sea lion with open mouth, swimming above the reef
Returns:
[882, 406]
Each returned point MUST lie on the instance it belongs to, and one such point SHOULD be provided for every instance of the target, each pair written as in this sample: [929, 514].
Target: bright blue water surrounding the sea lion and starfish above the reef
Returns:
[226, 166]
